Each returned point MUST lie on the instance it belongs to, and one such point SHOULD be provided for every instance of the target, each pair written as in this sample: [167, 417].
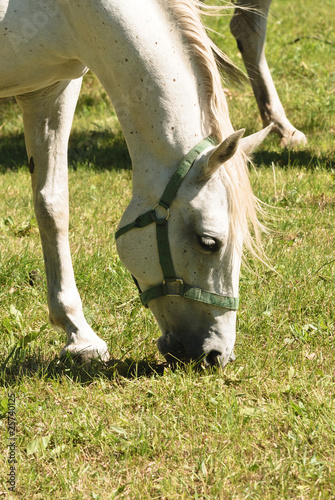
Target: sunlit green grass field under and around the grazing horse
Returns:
[261, 429]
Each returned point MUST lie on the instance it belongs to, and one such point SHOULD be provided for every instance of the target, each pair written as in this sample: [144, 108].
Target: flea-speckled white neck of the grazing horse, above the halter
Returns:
[144, 64]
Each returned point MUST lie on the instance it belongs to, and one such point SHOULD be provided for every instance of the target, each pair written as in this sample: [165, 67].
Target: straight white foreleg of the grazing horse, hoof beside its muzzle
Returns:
[47, 116]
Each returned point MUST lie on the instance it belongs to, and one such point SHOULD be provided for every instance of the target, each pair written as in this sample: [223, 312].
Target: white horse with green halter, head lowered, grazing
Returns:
[156, 63]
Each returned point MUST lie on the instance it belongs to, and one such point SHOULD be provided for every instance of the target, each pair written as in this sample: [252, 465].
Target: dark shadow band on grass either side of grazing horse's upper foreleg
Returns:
[99, 150]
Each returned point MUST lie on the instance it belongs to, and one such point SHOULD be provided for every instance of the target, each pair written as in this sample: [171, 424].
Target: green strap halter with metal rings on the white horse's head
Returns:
[172, 285]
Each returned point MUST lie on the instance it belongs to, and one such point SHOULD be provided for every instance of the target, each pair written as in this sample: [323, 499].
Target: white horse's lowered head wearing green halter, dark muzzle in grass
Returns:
[185, 254]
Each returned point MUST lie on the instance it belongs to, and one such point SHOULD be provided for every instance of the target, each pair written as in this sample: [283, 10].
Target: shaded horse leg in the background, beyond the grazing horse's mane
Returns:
[249, 30]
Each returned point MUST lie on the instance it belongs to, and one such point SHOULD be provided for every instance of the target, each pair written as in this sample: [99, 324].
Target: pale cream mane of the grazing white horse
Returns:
[244, 204]
